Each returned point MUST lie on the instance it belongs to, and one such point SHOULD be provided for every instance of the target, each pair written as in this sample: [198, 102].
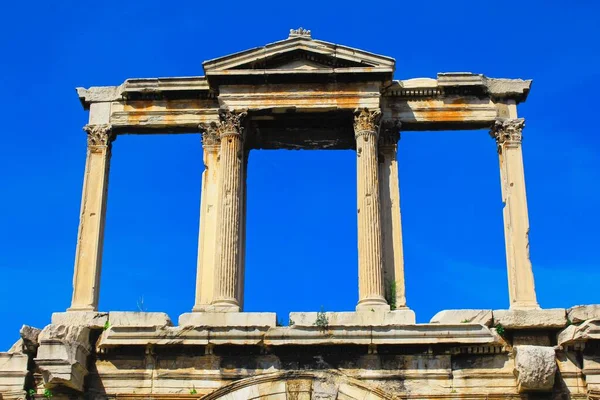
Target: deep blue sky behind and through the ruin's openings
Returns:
[301, 246]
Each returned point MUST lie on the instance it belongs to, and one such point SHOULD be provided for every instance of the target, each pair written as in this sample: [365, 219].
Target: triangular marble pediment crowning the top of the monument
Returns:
[299, 54]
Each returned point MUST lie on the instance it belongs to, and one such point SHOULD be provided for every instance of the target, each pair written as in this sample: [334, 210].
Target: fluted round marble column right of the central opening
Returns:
[370, 261]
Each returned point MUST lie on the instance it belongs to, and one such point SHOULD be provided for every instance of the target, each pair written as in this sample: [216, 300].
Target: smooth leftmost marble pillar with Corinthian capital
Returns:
[90, 238]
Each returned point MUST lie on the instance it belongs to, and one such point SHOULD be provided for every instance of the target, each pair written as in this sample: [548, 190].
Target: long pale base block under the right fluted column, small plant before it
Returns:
[359, 318]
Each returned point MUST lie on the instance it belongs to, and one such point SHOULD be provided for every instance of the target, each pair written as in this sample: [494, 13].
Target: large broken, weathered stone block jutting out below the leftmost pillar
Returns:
[62, 355]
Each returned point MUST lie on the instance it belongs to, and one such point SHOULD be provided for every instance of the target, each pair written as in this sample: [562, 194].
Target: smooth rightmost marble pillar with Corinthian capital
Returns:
[508, 136]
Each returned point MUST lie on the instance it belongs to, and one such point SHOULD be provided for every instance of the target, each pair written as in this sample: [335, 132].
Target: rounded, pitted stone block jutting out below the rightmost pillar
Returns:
[535, 368]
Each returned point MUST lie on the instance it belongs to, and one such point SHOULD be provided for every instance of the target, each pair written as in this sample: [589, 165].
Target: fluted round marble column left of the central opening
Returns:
[230, 213]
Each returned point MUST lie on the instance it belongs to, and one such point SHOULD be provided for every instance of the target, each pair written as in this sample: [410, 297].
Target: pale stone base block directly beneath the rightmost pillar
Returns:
[531, 319]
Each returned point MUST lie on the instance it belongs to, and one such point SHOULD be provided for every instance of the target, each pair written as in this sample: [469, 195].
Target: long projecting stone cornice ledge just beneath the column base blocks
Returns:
[339, 335]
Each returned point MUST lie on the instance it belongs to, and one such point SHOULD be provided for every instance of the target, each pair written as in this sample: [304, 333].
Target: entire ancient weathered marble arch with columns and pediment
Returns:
[302, 93]
